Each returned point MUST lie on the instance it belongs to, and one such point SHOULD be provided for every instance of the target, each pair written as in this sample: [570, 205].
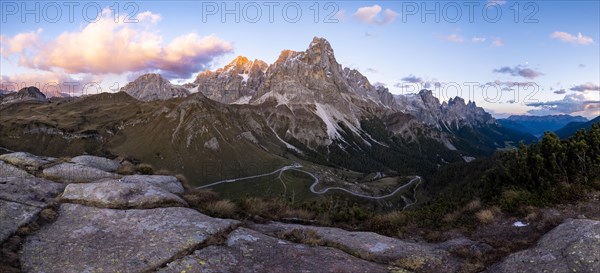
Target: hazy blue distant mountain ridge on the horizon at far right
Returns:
[537, 125]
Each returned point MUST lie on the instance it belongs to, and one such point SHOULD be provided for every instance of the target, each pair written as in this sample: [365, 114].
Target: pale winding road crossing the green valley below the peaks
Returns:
[296, 167]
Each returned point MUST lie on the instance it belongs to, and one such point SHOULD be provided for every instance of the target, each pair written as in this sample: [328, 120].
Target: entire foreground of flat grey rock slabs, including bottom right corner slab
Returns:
[80, 215]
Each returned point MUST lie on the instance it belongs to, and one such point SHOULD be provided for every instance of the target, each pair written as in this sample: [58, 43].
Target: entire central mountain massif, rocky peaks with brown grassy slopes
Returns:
[305, 106]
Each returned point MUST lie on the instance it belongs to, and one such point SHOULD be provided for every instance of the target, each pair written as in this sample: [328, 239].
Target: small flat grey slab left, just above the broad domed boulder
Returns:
[75, 173]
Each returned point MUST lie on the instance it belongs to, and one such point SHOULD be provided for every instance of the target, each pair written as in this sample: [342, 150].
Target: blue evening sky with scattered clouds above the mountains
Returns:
[510, 57]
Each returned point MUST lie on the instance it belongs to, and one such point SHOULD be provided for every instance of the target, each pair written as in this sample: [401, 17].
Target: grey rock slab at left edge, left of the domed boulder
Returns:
[29, 190]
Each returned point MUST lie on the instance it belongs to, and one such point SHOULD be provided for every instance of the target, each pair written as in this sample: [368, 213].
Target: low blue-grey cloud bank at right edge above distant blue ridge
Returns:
[569, 104]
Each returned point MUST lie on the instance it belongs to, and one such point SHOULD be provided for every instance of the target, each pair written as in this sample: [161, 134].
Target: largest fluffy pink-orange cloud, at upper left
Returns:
[107, 47]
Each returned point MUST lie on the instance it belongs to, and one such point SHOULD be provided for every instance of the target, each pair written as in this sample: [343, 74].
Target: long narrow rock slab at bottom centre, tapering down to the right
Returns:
[372, 246]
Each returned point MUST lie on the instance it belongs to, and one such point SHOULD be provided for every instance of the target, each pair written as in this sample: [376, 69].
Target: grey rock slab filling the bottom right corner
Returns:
[573, 246]
